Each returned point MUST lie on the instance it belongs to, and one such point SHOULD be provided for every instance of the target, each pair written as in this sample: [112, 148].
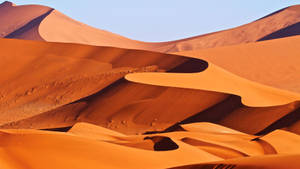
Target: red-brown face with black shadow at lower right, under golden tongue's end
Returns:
[231, 113]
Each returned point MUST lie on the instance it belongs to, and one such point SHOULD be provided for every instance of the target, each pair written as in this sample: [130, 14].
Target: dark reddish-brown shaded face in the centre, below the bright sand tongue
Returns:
[128, 115]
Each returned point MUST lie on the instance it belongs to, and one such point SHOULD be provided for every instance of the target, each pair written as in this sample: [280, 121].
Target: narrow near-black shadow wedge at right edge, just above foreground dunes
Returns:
[285, 121]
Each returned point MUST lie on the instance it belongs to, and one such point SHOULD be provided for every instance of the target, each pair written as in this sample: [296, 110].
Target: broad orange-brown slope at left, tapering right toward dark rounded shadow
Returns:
[59, 74]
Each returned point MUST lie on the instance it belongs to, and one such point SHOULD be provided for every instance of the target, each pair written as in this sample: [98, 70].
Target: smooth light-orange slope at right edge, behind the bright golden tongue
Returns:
[274, 63]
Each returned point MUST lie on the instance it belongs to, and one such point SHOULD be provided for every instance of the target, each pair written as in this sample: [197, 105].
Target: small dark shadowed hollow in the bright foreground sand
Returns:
[162, 143]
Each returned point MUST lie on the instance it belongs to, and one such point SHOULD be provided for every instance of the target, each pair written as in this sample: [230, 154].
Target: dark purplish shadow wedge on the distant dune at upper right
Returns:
[292, 30]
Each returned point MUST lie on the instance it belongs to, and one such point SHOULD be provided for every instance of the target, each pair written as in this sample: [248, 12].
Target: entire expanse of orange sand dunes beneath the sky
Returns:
[73, 96]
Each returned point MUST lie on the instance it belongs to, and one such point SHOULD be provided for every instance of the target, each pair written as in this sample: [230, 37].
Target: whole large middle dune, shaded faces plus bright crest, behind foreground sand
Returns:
[126, 106]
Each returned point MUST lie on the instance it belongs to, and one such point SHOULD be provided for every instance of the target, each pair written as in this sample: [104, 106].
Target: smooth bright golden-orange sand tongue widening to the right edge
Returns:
[216, 79]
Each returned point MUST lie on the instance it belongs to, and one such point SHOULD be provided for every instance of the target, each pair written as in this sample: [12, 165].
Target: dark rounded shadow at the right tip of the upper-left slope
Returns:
[190, 66]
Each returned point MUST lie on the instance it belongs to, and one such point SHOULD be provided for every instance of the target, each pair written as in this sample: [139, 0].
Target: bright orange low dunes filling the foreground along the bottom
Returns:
[85, 144]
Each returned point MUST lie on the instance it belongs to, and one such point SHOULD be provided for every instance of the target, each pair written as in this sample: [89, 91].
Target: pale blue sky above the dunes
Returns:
[164, 20]
